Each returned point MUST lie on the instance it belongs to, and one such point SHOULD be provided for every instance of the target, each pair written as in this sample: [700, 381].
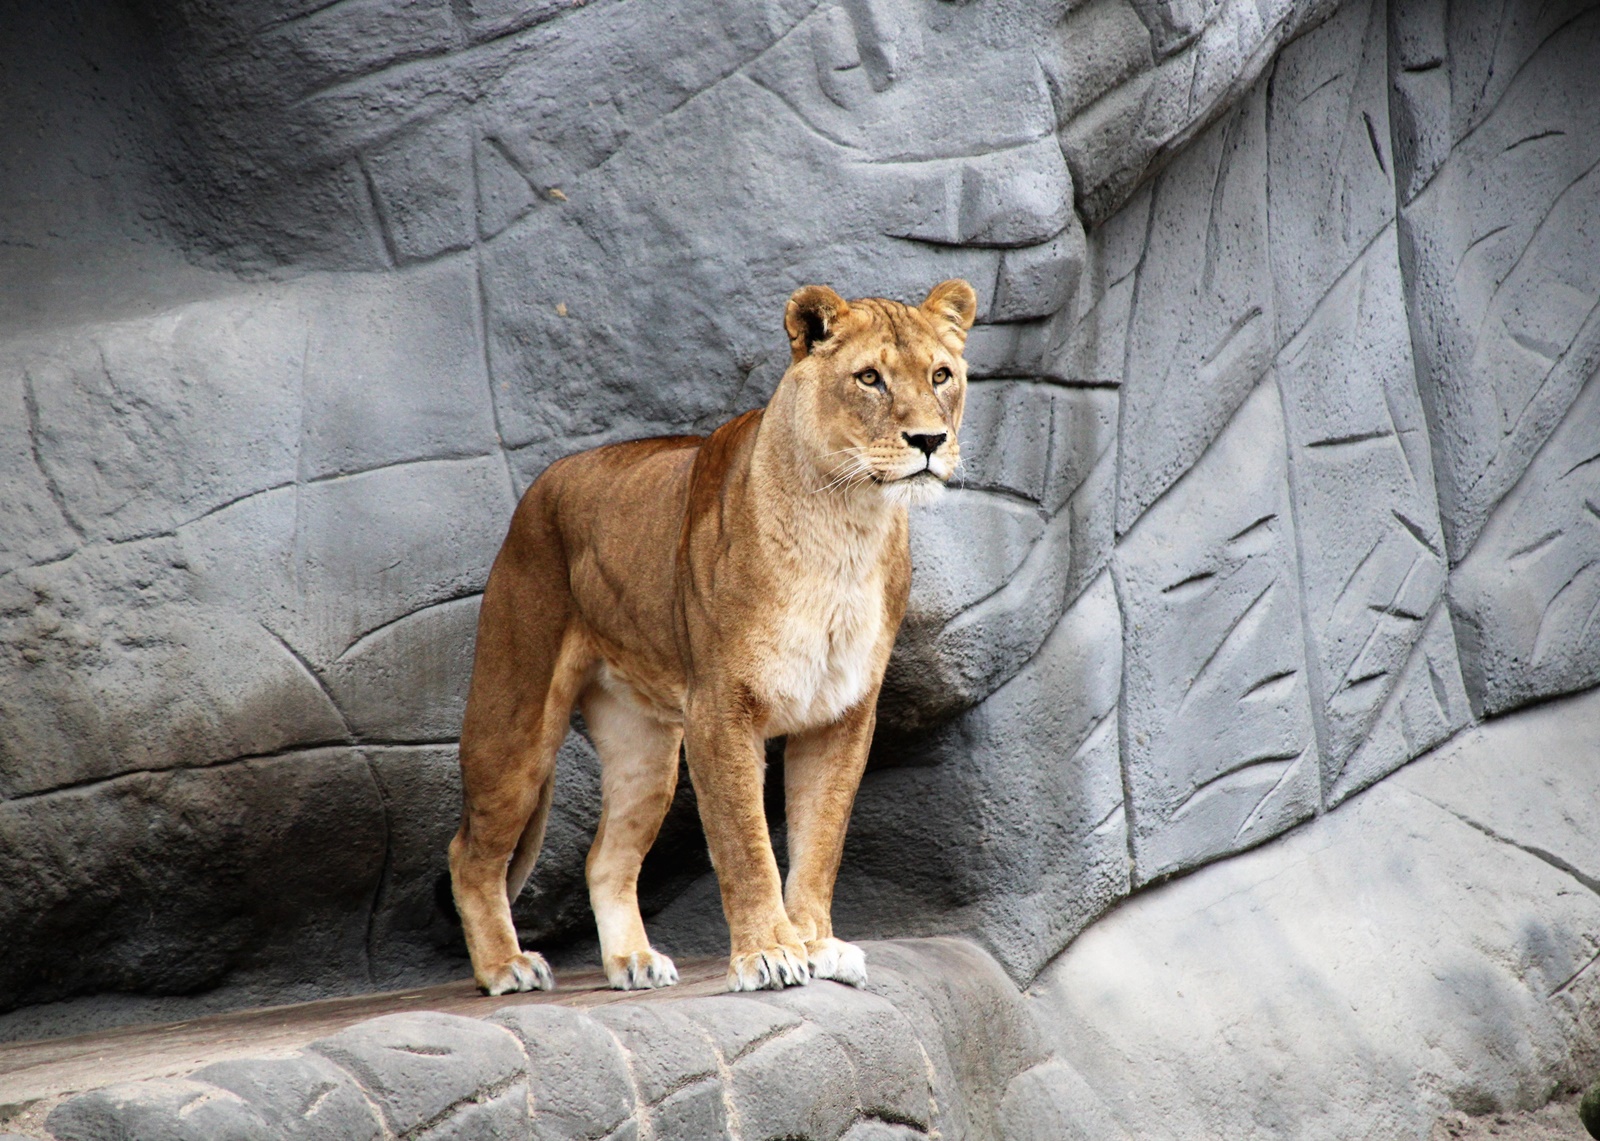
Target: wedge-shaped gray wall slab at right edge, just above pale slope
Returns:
[1527, 599]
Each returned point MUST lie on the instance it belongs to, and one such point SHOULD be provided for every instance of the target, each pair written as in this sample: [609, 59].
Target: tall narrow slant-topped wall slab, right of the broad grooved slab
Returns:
[1364, 510]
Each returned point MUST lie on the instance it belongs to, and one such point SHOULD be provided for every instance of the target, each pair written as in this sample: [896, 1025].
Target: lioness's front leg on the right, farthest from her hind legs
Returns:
[822, 775]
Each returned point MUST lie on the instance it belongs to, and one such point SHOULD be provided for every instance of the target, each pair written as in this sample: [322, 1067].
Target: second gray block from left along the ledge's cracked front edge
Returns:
[298, 1097]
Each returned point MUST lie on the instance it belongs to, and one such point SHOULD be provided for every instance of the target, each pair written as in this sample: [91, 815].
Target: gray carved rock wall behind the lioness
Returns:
[1281, 454]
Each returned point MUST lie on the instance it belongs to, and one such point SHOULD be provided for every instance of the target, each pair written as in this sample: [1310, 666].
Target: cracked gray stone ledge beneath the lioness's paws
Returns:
[924, 1052]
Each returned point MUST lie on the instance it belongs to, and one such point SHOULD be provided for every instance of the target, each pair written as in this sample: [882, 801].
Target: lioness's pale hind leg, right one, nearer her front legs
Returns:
[639, 774]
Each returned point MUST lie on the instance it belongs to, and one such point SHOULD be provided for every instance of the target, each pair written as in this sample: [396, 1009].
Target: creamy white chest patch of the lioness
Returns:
[822, 654]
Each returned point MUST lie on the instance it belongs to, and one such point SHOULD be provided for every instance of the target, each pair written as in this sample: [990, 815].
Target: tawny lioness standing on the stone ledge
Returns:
[713, 591]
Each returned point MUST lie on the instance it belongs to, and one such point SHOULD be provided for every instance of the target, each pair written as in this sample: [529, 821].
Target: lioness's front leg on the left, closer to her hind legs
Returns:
[726, 761]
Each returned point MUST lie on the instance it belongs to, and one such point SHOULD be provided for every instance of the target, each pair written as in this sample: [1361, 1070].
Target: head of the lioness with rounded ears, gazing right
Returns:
[879, 388]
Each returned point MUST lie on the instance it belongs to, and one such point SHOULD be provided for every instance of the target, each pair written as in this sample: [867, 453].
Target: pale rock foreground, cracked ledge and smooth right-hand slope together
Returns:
[1425, 956]
